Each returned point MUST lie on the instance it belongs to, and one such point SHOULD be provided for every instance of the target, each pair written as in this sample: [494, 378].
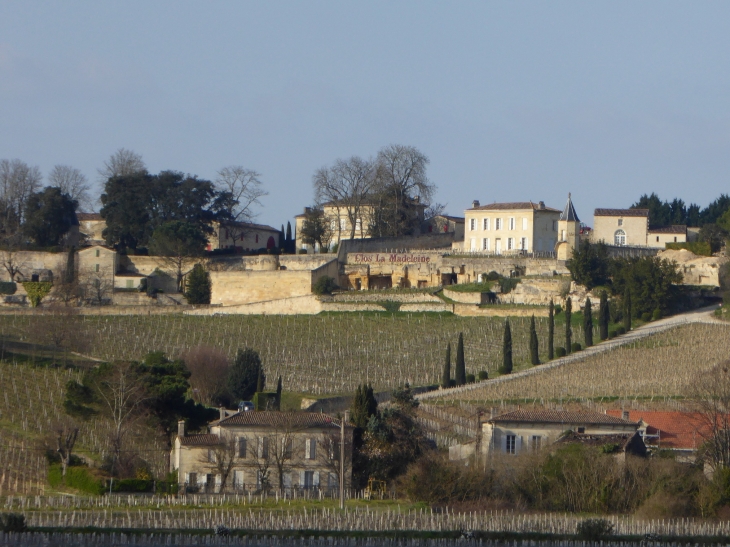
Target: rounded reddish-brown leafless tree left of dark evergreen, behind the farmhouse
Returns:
[208, 368]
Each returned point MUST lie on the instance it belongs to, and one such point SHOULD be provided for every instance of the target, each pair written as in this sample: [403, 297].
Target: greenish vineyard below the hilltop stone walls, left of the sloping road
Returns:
[321, 354]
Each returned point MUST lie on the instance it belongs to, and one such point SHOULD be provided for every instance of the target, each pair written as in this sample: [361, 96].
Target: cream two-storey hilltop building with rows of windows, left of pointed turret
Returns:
[508, 228]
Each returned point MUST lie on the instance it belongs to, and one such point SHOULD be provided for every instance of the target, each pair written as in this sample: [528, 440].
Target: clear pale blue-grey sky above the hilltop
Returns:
[510, 101]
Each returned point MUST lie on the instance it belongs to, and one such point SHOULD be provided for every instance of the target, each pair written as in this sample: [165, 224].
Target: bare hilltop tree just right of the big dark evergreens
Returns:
[246, 190]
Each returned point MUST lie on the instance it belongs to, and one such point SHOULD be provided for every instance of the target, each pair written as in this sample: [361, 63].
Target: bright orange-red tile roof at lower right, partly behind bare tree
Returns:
[677, 430]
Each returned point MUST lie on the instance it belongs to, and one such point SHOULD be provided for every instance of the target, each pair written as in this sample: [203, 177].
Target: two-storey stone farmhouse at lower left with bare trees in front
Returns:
[262, 451]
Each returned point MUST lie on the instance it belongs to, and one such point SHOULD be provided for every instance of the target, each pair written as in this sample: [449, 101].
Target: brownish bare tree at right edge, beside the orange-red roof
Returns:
[711, 392]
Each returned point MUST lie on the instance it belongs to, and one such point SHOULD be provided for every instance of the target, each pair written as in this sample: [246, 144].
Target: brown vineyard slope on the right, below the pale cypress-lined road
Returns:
[660, 366]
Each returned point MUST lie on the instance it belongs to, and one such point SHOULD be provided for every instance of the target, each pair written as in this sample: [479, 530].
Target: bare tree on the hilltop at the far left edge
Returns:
[18, 181]
